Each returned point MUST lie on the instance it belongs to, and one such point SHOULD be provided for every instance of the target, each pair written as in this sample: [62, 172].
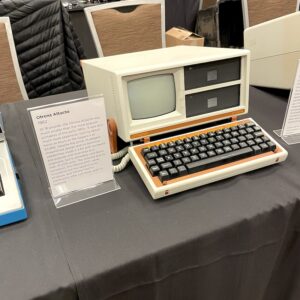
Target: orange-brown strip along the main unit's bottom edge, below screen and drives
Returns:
[185, 124]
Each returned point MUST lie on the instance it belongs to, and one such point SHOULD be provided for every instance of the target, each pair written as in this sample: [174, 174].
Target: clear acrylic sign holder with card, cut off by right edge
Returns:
[290, 132]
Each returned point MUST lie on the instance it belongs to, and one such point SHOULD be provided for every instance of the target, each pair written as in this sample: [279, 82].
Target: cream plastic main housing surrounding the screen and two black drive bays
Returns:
[110, 76]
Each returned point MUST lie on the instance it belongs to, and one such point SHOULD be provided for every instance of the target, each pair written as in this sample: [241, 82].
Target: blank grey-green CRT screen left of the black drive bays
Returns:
[151, 96]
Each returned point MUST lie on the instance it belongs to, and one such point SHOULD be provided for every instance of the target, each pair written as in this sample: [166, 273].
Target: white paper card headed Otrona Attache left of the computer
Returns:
[74, 145]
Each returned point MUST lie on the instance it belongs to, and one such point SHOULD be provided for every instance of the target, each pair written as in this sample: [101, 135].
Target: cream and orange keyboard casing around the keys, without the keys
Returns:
[158, 189]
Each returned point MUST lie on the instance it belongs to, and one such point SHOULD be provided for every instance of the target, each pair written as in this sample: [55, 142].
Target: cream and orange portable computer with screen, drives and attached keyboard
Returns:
[165, 90]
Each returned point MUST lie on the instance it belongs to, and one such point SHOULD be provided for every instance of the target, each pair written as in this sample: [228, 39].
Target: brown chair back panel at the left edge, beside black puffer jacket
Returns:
[9, 86]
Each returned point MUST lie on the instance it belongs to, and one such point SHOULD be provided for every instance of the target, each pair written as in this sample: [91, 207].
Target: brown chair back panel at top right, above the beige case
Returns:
[260, 11]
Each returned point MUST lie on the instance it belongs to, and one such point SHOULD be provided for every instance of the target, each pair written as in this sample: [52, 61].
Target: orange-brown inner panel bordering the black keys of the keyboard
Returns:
[156, 180]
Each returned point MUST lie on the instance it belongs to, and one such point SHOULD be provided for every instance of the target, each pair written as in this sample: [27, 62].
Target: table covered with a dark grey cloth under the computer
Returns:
[234, 239]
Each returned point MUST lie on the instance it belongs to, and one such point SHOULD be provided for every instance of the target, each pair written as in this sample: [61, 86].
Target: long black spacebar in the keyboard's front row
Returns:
[218, 160]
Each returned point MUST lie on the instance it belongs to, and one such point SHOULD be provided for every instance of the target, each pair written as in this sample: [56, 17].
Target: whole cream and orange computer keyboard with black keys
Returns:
[186, 161]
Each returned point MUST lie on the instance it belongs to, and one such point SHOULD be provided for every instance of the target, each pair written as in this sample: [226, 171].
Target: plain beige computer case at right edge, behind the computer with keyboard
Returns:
[275, 51]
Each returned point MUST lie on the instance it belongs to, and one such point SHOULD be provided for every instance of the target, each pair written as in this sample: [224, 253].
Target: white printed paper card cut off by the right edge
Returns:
[291, 125]
